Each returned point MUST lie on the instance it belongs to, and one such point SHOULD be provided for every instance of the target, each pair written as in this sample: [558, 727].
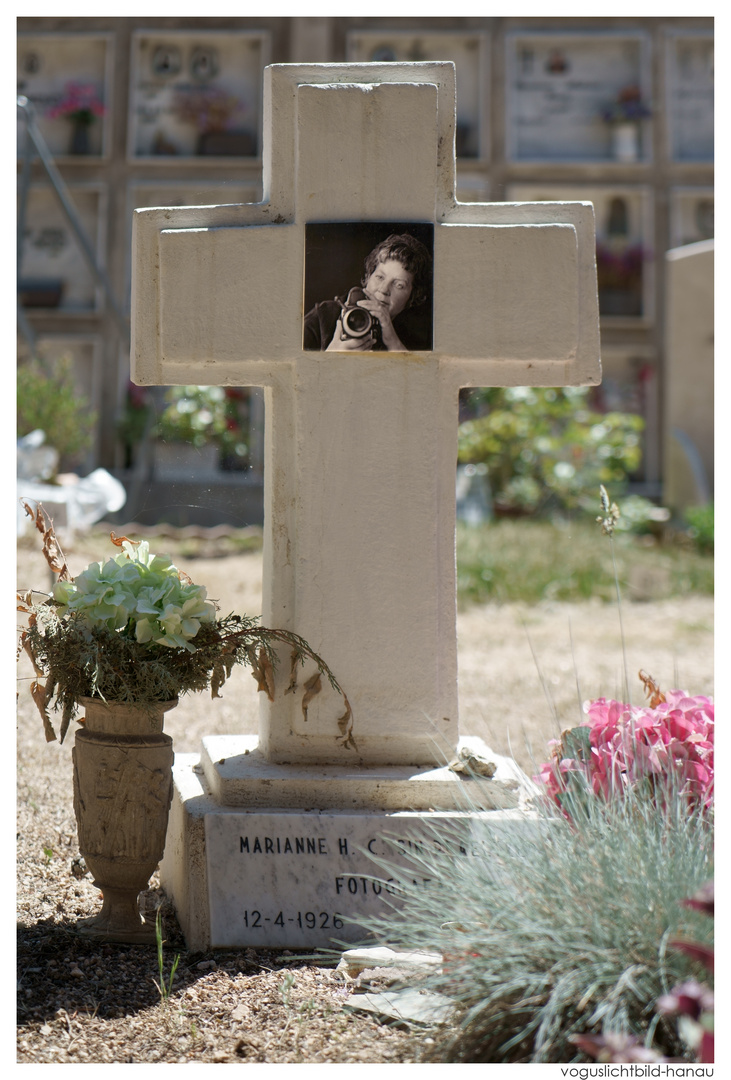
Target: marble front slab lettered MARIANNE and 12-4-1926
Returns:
[286, 880]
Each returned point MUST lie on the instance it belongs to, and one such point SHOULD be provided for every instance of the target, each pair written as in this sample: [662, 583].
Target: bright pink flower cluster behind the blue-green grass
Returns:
[627, 744]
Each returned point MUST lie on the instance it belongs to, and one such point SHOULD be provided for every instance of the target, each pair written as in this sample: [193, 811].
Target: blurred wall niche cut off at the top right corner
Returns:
[689, 77]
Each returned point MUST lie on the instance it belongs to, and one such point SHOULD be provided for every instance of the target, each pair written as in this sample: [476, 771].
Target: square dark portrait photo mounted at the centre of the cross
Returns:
[369, 287]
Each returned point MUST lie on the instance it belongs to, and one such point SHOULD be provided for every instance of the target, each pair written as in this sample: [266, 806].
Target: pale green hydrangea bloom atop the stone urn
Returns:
[139, 593]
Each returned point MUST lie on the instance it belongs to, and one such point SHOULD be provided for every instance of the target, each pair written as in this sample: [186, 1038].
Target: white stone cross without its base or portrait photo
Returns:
[361, 449]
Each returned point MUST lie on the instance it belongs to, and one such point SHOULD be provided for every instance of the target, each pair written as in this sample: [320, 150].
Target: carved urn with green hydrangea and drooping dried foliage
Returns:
[124, 641]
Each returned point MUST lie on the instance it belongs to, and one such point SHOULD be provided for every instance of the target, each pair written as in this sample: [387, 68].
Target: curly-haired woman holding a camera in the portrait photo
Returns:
[397, 280]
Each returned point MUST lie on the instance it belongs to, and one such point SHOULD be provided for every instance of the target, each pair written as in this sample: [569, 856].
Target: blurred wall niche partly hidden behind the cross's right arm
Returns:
[625, 245]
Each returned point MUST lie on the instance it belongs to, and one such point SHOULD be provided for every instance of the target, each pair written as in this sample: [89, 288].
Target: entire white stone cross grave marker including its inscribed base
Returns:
[361, 452]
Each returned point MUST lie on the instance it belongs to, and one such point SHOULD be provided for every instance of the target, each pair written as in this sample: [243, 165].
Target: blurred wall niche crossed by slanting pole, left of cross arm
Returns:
[53, 272]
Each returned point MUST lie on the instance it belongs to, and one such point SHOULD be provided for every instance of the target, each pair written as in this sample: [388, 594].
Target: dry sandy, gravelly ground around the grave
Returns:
[523, 672]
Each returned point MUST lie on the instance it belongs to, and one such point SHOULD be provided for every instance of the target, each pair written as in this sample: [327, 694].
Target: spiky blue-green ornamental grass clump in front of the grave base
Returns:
[552, 928]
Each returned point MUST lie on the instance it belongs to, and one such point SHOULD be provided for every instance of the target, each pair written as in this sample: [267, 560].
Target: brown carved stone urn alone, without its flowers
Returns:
[123, 793]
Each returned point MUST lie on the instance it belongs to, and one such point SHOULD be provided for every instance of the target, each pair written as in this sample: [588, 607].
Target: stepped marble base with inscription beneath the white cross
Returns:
[278, 857]
